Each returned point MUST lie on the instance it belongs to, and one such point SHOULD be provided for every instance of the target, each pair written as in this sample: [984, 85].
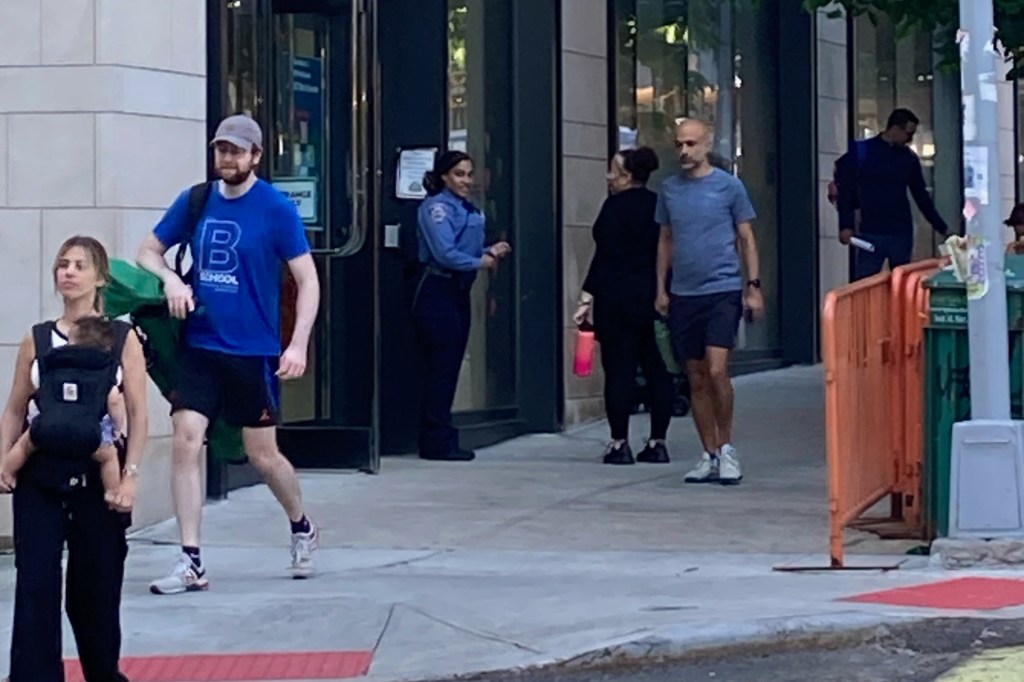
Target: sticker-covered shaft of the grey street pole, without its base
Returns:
[988, 313]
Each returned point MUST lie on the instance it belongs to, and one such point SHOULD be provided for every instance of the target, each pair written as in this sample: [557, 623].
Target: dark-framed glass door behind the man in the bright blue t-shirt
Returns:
[302, 69]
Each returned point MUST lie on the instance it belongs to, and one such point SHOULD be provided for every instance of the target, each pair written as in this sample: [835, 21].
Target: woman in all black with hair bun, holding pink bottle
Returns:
[620, 290]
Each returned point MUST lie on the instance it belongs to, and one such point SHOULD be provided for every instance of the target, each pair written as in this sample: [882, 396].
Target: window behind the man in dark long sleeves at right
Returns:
[895, 73]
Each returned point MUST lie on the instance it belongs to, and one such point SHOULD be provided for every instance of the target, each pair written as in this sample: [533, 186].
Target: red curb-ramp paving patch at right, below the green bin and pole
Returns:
[969, 593]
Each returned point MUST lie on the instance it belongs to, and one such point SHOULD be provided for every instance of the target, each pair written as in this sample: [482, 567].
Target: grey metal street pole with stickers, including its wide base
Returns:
[987, 488]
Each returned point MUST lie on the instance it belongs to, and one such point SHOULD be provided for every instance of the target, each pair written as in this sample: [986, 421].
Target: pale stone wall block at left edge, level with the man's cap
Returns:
[52, 160]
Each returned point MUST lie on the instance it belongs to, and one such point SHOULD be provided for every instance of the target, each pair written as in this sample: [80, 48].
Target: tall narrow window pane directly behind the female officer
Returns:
[480, 102]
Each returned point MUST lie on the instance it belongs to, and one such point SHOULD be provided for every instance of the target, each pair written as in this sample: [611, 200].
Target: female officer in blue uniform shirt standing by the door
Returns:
[451, 244]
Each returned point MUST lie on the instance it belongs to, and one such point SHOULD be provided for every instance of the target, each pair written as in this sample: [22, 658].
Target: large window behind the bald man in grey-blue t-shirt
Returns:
[715, 61]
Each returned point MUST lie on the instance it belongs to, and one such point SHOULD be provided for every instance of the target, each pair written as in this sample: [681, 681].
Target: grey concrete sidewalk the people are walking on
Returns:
[534, 555]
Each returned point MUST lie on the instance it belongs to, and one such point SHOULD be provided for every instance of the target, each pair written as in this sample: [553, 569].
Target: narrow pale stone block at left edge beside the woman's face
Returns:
[21, 265]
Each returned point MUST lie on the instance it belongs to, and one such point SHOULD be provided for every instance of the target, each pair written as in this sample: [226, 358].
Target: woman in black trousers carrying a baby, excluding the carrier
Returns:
[61, 500]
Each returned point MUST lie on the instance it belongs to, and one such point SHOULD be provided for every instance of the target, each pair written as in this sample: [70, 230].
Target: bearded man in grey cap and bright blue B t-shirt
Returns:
[233, 361]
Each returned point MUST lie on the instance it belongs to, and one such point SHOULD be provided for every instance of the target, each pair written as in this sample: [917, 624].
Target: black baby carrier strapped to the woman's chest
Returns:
[74, 385]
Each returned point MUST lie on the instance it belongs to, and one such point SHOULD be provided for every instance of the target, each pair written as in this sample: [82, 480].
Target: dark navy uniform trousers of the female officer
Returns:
[442, 315]
